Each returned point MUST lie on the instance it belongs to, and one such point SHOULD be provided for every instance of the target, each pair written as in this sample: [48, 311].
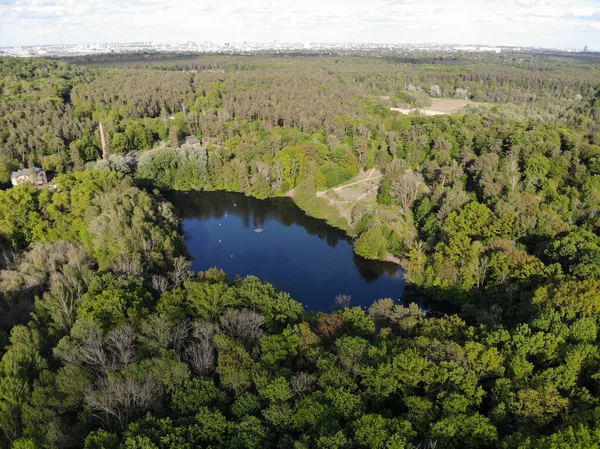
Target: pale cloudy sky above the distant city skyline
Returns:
[544, 23]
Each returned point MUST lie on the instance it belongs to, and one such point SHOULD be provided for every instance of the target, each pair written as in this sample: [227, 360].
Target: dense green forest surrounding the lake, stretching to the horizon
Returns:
[110, 340]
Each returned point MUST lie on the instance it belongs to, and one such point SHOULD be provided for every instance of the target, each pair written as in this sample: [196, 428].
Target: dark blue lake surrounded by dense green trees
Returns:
[301, 255]
